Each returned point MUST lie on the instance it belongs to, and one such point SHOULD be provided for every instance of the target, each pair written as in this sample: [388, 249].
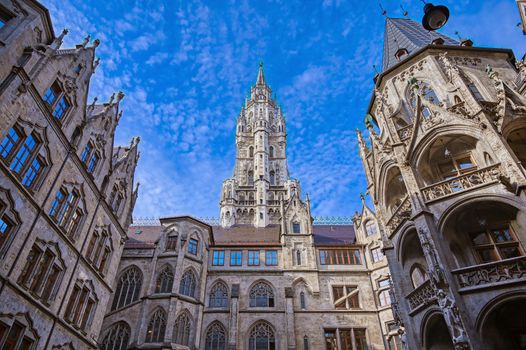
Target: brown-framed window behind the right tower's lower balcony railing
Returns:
[495, 244]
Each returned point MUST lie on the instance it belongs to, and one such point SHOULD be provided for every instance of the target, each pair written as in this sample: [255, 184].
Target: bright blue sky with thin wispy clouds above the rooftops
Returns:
[186, 67]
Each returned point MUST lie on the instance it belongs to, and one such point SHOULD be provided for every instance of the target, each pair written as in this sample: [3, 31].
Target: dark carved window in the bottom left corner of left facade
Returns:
[17, 332]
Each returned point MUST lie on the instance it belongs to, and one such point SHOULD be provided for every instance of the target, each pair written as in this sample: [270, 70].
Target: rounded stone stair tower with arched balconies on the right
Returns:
[445, 168]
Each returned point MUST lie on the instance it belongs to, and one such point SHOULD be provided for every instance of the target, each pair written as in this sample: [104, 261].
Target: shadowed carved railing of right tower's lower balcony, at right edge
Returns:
[486, 275]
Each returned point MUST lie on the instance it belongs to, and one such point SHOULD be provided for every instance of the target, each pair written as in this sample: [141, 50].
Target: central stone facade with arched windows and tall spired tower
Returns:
[267, 278]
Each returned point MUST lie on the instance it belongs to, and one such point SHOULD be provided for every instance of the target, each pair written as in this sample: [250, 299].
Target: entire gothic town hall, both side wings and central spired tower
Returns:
[445, 174]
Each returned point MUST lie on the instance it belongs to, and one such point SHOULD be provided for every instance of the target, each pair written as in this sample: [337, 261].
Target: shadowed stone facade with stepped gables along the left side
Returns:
[66, 193]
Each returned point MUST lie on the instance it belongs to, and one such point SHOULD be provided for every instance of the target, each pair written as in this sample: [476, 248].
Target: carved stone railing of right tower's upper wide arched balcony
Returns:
[472, 179]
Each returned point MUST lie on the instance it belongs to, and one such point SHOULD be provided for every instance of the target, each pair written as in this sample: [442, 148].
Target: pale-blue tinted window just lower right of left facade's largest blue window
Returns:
[66, 210]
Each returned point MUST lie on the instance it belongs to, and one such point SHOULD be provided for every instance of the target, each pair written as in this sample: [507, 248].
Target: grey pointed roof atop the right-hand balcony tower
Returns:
[404, 33]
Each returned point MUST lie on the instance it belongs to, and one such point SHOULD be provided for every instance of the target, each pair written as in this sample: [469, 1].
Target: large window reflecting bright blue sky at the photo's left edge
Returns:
[23, 152]
